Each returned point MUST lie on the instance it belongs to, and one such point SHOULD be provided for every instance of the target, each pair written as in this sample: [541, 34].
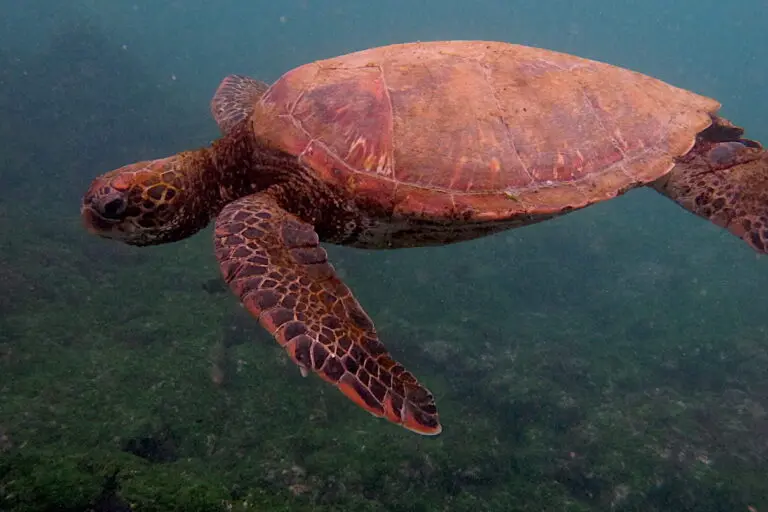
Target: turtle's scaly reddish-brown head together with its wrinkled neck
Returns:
[169, 199]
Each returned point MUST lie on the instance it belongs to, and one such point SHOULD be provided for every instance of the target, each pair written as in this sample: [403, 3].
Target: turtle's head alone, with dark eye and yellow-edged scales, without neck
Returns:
[146, 203]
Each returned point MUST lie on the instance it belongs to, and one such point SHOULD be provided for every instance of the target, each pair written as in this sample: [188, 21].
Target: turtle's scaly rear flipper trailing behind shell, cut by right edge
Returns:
[725, 182]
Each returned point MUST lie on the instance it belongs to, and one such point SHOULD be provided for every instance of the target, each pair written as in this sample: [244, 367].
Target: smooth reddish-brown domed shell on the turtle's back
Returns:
[486, 130]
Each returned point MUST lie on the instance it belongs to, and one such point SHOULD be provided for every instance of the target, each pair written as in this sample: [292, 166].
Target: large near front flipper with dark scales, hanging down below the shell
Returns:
[274, 262]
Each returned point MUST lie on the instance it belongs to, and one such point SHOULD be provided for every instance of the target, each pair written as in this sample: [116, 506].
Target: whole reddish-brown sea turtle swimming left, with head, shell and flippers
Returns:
[410, 145]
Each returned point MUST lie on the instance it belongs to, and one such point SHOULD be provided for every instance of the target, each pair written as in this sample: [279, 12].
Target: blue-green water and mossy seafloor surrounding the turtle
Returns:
[612, 359]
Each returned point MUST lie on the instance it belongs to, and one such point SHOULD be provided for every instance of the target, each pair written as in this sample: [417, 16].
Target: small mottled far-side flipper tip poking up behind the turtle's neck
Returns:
[234, 100]
